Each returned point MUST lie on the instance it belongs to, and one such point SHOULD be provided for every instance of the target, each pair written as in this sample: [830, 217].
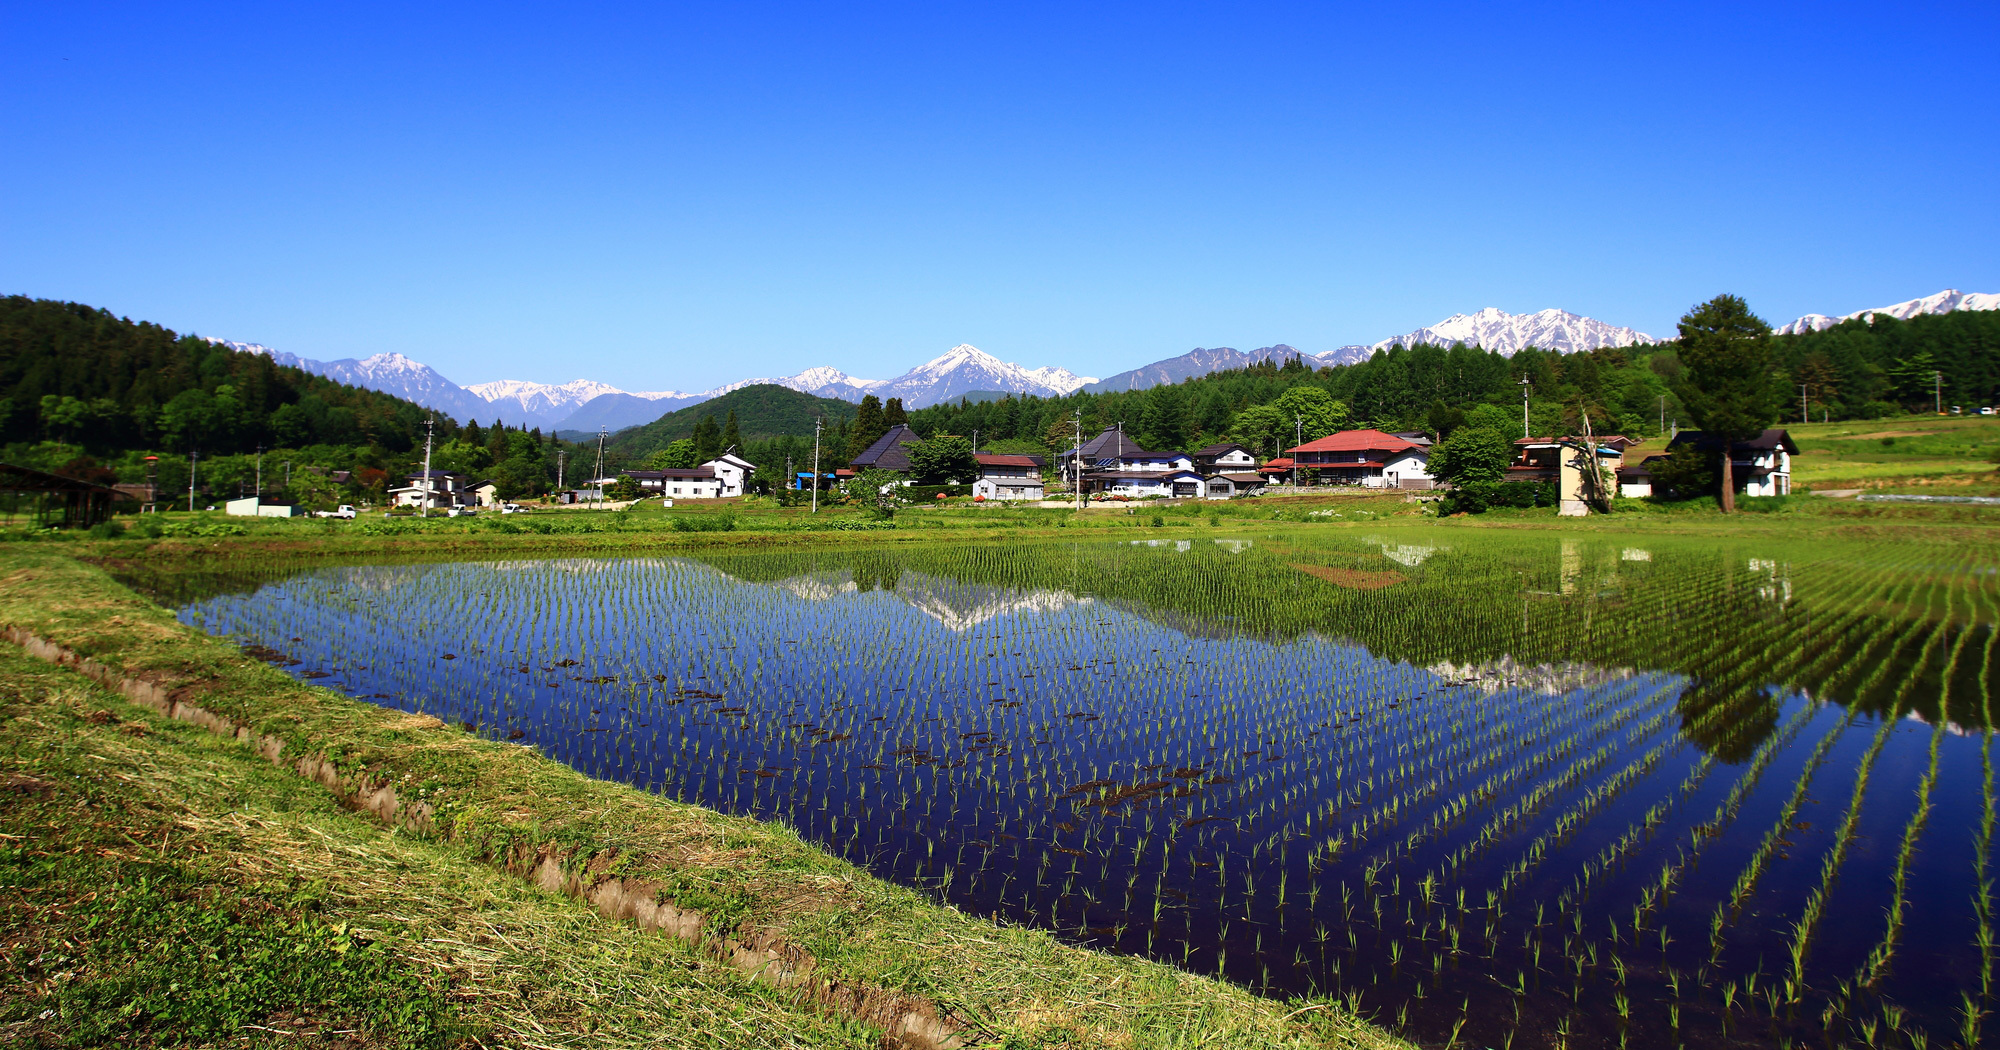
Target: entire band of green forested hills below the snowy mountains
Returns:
[95, 395]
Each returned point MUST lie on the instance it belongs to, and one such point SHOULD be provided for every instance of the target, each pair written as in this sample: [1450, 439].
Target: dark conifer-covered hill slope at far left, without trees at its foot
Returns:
[87, 377]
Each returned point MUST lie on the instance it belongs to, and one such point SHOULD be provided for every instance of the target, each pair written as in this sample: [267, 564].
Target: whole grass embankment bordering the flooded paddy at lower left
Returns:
[171, 885]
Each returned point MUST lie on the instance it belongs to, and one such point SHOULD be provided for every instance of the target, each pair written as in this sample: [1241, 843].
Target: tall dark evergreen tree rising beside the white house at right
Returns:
[1727, 377]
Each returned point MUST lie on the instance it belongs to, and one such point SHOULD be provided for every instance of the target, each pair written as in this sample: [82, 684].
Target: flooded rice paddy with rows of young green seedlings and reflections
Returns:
[1491, 789]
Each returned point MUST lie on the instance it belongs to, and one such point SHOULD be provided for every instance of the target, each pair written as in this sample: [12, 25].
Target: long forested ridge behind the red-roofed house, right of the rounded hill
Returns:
[1851, 371]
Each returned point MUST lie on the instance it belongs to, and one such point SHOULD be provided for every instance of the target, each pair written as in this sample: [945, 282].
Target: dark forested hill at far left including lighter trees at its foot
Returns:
[91, 395]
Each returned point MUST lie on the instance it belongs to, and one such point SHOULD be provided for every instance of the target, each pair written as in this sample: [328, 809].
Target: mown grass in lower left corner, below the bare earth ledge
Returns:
[165, 887]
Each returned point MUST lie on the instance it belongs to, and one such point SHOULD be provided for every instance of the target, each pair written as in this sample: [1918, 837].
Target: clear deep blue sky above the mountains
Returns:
[675, 197]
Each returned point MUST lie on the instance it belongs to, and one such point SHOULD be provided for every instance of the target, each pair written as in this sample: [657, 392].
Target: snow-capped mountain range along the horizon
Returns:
[961, 371]
